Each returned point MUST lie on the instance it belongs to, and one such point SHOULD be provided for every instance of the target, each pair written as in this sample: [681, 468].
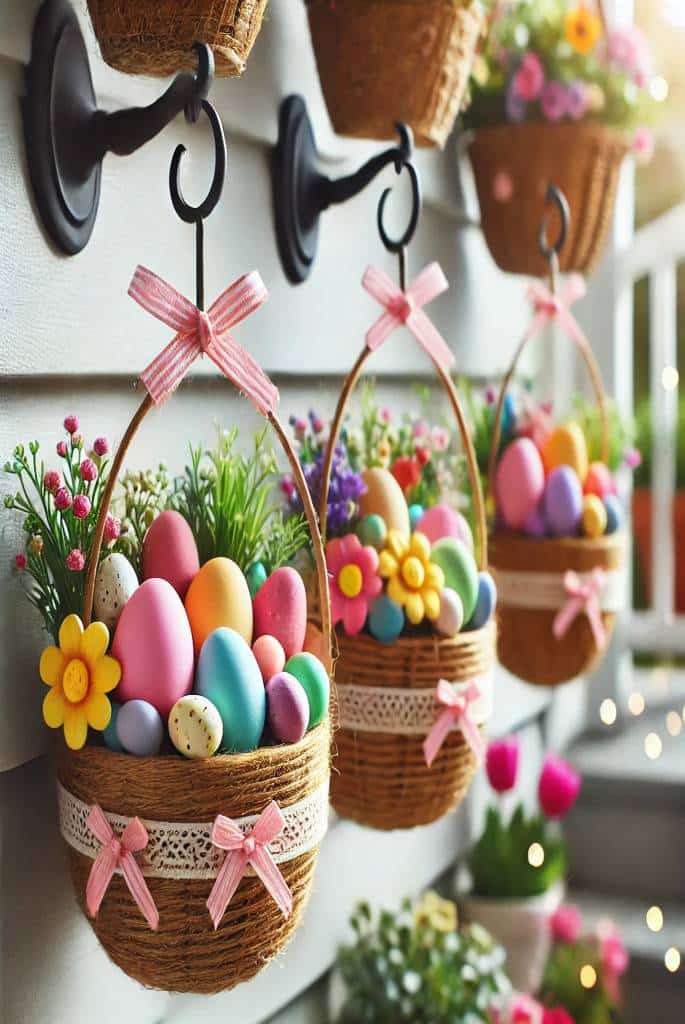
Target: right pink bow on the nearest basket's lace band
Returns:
[248, 850]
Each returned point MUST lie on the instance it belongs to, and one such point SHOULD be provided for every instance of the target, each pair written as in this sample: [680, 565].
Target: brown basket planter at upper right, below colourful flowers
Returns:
[583, 160]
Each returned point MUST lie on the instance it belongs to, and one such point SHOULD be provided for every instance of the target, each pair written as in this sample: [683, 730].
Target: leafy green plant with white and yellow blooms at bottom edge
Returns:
[416, 966]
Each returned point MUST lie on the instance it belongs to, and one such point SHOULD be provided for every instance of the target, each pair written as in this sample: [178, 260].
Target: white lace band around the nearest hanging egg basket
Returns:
[184, 849]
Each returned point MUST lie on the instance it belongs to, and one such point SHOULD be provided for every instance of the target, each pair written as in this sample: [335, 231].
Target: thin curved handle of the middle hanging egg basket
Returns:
[473, 466]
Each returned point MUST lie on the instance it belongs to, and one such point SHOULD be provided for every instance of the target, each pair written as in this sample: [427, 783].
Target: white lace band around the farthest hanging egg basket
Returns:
[547, 591]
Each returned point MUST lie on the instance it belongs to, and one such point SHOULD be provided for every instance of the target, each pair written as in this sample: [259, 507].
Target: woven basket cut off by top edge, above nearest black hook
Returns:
[155, 37]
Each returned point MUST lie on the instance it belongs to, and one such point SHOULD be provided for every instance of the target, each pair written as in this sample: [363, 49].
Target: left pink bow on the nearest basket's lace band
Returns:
[119, 854]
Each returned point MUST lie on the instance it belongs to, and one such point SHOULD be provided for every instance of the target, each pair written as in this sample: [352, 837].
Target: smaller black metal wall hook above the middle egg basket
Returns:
[302, 193]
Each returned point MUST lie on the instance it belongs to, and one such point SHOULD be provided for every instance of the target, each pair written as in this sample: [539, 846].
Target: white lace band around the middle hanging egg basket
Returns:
[403, 712]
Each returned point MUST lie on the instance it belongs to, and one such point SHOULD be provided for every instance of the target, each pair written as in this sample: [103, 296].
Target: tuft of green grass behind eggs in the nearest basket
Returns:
[233, 505]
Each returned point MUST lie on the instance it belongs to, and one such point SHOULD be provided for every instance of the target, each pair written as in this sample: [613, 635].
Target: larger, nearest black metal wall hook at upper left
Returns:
[67, 137]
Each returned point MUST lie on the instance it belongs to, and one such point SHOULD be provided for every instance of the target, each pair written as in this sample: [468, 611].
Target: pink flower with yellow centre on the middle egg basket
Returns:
[355, 581]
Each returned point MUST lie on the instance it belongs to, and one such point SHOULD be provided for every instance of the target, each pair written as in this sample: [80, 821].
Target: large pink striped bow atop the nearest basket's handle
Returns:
[201, 333]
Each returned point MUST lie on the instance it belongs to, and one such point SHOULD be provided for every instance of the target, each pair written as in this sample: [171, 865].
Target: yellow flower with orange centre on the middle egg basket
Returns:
[414, 582]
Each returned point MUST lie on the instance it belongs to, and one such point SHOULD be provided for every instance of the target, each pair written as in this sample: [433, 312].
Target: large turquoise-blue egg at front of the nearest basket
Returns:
[229, 675]
